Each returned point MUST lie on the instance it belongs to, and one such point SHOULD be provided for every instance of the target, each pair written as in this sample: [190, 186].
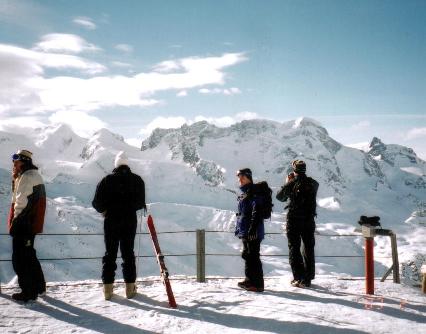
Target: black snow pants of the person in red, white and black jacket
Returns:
[26, 266]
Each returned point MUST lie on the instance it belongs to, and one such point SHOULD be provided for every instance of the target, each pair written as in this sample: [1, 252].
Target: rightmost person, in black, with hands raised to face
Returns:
[301, 190]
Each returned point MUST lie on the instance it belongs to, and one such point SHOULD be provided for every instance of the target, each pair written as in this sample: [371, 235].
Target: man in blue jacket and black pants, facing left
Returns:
[250, 229]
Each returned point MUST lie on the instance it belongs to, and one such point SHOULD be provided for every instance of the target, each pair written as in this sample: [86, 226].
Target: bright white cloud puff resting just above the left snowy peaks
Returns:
[82, 124]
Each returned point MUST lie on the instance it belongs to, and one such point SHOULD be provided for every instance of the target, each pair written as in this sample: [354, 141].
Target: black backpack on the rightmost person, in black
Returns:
[303, 196]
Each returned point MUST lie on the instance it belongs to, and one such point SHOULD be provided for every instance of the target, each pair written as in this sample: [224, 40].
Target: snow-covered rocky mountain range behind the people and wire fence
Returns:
[190, 178]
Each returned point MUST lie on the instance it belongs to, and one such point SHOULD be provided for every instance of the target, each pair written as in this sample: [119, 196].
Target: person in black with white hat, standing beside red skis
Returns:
[118, 196]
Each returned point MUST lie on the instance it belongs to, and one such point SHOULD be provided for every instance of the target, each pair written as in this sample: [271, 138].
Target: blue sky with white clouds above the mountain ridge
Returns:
[358, 67]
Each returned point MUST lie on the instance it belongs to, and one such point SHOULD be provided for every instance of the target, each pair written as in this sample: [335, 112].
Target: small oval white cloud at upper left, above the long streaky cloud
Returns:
[67, 43]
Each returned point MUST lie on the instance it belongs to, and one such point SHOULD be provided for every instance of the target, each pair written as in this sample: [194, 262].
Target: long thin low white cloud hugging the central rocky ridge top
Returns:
[178, 121]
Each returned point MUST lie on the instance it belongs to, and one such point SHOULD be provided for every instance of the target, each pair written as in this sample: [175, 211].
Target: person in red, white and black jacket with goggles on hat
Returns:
[26, 219]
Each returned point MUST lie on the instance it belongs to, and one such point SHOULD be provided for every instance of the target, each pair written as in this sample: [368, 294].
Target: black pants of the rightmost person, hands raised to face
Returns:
[302, 264]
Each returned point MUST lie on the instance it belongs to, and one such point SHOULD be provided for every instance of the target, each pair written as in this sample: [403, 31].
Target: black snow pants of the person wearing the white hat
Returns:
[119, 232]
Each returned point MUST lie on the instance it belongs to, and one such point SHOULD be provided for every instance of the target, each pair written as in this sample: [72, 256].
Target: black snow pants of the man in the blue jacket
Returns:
[253, 265]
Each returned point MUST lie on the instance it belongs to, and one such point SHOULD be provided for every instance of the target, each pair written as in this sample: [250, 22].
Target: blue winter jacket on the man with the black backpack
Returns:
[249, 212]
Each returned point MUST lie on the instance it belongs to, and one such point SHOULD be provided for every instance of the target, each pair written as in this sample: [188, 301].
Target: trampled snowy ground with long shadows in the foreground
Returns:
[218, 306]
